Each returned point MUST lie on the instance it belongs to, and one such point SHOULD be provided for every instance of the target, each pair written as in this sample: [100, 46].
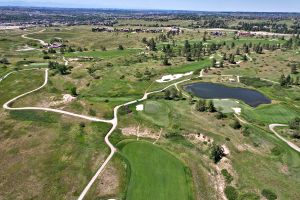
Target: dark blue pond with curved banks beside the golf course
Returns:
[219, 91]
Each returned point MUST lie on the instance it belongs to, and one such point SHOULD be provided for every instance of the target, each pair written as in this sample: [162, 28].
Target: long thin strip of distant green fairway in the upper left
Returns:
[105, 54]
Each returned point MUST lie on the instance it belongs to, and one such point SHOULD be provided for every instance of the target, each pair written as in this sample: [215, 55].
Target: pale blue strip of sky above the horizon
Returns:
[198, 5]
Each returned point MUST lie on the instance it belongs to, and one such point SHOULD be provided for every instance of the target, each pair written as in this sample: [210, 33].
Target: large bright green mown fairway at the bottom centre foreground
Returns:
[155, 173]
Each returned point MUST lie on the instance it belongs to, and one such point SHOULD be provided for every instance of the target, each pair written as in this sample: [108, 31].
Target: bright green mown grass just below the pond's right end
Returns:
[276, 113]
